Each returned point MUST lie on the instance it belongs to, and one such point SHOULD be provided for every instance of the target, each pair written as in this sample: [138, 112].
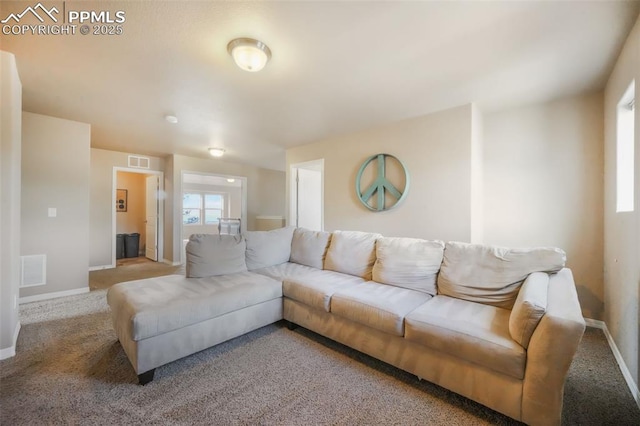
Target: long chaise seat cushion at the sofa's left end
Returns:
[154, 306]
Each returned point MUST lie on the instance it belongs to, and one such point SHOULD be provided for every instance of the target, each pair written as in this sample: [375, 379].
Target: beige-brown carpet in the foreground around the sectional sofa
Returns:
[70, 369]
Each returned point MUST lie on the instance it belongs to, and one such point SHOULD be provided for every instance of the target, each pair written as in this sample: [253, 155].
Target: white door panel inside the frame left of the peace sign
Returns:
[309, 199]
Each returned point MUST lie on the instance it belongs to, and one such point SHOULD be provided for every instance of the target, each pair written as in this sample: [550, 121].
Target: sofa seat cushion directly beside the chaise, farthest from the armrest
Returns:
[316, 288]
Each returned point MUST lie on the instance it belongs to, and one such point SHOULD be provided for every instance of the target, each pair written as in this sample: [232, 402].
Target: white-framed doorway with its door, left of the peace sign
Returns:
[306, 195]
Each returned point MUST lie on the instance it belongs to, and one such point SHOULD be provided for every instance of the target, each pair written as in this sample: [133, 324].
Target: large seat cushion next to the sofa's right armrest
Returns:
[475, 332]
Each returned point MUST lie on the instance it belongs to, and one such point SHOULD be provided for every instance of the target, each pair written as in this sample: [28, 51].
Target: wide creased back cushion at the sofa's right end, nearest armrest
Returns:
[492, 275]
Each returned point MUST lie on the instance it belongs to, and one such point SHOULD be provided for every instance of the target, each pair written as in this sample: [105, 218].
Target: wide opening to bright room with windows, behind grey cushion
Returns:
[212, 204]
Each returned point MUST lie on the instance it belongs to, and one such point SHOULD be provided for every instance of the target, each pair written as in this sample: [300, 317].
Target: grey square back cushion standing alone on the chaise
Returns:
[209, 255]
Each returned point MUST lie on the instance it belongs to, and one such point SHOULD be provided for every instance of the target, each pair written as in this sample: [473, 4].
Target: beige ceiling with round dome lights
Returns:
[337, 67]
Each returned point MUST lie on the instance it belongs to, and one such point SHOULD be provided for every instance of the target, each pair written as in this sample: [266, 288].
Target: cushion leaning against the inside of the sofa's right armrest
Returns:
[529, 308]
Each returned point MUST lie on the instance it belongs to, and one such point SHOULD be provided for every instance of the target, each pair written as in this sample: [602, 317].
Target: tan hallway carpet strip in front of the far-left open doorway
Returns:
[129, 269]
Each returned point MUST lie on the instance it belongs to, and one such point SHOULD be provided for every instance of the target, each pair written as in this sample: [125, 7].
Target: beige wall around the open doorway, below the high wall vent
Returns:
[100, 233]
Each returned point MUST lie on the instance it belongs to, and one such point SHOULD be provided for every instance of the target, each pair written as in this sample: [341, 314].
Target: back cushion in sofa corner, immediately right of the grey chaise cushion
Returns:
[268, 248]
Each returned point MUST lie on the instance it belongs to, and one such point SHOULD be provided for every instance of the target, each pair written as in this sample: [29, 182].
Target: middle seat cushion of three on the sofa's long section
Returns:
[378, 306]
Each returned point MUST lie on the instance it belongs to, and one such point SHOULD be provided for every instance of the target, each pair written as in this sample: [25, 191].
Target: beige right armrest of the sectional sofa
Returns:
[551, 350]
